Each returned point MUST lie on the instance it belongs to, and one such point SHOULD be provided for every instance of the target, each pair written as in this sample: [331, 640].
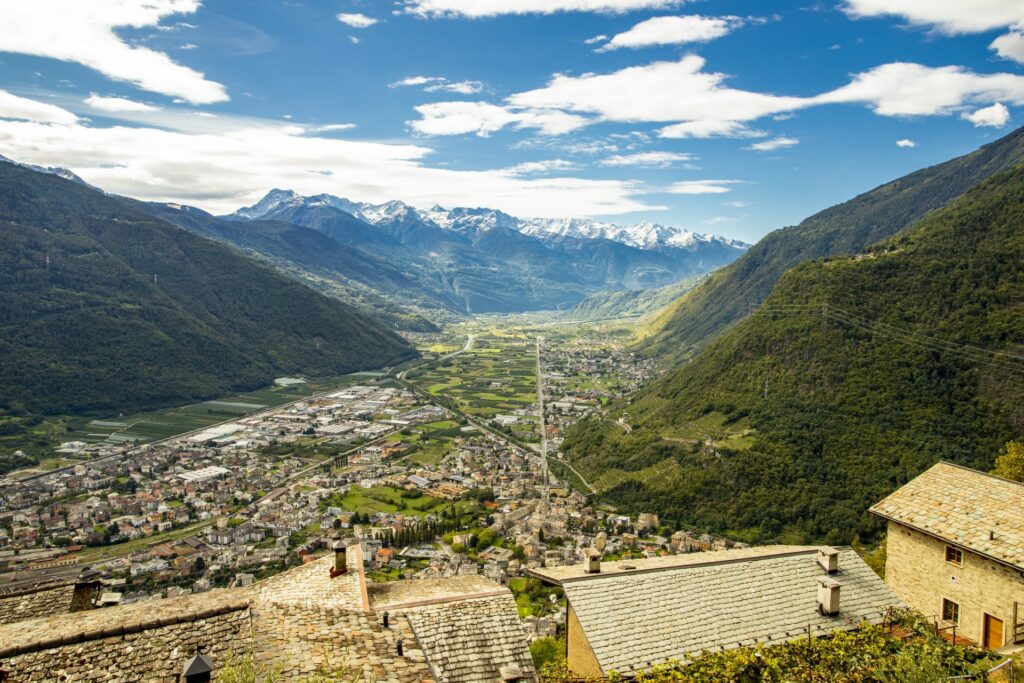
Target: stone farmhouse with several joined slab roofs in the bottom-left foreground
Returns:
[322, 617]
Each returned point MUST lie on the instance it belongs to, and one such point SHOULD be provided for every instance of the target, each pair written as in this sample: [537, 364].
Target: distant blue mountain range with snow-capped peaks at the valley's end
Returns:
[483, 261]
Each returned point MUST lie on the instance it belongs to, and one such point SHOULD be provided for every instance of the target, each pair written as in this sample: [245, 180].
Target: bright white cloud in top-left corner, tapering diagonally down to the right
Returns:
[83, 33]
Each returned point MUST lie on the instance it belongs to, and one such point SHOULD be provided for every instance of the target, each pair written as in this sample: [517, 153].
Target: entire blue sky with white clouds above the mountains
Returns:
[719, 116]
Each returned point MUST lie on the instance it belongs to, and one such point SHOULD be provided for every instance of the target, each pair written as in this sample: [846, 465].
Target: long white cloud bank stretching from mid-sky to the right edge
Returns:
[699, 104]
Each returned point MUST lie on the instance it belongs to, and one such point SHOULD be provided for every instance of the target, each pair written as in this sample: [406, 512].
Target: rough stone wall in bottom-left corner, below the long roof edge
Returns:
[155, 655]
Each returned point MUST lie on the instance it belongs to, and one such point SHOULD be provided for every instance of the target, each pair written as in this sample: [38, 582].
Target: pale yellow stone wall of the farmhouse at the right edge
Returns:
[917, 570]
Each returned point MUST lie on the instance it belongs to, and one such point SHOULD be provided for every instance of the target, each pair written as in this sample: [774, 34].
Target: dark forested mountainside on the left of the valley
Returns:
[107, 309]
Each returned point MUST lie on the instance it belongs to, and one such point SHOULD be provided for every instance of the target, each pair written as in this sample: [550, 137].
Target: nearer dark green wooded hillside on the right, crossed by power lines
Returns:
[857, 374]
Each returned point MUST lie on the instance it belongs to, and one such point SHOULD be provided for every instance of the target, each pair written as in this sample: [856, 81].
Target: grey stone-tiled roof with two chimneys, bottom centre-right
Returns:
[721, 601]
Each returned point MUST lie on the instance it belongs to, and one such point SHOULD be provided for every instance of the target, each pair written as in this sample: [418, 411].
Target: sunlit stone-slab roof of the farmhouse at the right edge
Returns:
[977, 511]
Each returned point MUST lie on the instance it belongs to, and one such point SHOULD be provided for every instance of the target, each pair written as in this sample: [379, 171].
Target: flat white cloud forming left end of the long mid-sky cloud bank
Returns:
[483, 119]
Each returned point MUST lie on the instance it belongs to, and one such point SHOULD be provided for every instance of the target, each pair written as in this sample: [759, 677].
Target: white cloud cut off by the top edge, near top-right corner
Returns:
[951, 17]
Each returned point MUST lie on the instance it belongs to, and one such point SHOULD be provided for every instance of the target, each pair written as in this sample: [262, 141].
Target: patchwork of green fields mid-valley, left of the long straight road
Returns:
[497, 378]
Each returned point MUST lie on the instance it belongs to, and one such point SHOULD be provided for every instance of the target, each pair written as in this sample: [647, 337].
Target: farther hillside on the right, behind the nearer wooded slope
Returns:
[845, 229]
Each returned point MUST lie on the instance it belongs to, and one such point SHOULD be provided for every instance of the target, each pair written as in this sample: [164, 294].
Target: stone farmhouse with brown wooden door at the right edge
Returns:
[956, 551]
